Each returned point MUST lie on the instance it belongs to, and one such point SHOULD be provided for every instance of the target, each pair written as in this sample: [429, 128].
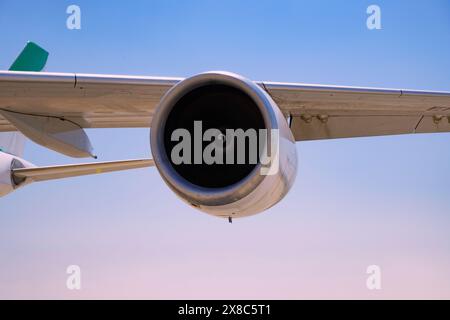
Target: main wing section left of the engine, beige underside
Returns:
[89, 101]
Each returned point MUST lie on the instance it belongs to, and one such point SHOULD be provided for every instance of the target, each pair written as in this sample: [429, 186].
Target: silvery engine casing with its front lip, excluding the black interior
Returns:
[254, 193]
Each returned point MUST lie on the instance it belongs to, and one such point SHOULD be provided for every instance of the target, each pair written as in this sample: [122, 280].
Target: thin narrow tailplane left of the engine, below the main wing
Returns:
[35, 174]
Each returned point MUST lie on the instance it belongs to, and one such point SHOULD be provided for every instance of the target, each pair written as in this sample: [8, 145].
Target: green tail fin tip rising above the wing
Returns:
[32, 58]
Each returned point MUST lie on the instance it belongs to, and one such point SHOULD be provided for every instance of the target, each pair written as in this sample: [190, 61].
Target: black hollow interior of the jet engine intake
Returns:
[221, 107]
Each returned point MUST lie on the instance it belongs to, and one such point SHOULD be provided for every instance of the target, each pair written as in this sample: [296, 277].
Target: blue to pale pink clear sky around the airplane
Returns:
[356, 202]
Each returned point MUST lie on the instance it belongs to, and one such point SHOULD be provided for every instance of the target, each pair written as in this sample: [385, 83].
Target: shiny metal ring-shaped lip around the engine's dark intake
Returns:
[190, 192]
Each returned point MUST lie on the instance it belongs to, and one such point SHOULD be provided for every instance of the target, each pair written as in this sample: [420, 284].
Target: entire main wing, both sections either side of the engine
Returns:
[316, 111]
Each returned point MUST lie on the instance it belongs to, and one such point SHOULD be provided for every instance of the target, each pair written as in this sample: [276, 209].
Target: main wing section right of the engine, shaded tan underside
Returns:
[327, 112]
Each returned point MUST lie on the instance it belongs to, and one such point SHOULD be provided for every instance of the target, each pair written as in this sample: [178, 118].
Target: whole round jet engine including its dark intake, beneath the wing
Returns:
[203, 144]
